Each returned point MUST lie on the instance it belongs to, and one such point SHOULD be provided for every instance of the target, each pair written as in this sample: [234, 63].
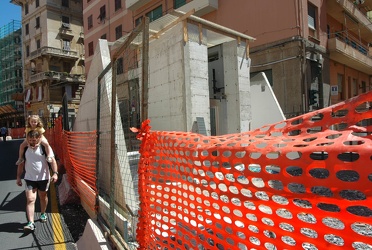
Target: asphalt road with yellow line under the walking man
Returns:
[53, 234]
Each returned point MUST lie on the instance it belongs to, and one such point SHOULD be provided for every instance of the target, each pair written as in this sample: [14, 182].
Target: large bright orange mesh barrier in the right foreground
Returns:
[304, 183]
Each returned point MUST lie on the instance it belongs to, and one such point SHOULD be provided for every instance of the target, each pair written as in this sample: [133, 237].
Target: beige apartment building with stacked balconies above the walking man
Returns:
[53, 56]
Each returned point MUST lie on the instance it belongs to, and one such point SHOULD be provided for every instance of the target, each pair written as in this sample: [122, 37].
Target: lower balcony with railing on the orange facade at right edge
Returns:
[350, 53]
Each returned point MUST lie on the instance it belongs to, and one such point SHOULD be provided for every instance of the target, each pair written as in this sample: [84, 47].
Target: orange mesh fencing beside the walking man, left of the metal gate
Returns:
[77, 153]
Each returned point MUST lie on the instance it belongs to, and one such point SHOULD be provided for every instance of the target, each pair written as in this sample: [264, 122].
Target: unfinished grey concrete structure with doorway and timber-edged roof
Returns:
[183, 83]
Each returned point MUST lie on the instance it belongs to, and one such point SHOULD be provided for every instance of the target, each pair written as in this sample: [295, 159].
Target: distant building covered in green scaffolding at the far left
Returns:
[11, 98]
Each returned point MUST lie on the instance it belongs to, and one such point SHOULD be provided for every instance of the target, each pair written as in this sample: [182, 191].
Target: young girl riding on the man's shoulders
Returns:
[34, 123]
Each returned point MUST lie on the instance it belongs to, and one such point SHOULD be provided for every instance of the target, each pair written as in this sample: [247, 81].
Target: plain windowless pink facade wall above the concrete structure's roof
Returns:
[265, 20]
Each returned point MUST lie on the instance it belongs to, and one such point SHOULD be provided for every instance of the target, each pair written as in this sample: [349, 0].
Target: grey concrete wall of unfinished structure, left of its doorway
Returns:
[178, 87]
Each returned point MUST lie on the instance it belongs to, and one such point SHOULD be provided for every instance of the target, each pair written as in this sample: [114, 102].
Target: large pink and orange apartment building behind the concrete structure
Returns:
[314, 53]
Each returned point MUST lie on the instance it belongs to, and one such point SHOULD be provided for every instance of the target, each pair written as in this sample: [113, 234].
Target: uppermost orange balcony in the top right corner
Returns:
[353, 17]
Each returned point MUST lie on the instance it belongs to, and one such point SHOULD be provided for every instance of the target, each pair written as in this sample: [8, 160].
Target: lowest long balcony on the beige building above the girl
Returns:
[57, 76]
